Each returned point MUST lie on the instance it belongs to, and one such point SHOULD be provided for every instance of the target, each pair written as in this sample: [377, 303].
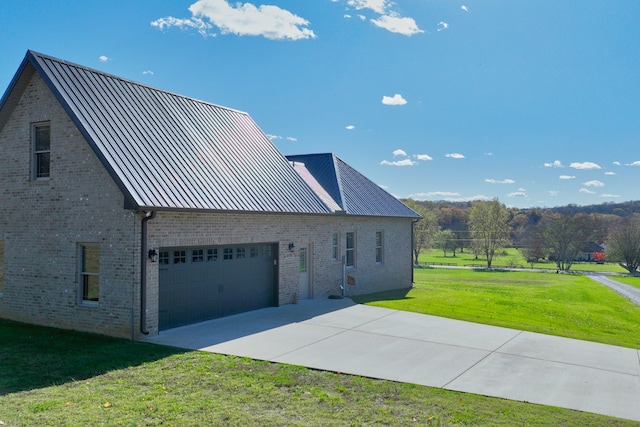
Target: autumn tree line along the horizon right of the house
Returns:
[558, 234]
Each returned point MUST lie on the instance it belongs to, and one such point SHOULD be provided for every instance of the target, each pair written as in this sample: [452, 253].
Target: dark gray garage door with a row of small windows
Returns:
[203, 283]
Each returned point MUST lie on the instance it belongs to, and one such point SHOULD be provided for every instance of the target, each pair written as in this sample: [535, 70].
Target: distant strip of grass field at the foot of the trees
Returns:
[511, 258]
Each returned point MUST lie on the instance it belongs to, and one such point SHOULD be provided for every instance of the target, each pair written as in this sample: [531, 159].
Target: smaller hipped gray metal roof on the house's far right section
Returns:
[352, 191]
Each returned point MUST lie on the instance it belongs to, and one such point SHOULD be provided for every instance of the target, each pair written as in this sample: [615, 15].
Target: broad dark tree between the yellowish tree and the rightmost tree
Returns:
[566, 235]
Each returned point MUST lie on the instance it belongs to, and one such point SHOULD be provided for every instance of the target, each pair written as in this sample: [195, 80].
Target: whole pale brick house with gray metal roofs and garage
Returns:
[126, 210]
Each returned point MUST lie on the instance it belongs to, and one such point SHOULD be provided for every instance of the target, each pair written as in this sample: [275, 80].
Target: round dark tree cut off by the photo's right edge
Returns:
[623, 243]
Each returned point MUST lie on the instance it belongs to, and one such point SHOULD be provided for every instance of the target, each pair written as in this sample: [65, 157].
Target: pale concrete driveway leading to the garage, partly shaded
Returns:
[338, 335]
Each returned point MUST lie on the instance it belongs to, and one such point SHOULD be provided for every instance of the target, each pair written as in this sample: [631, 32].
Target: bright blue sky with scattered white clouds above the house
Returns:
[535, 102]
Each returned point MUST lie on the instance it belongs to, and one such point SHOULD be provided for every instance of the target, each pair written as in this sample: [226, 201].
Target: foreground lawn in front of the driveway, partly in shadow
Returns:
[50, 377]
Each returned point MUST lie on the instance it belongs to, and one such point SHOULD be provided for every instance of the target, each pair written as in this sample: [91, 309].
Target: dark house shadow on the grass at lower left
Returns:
[33, 357]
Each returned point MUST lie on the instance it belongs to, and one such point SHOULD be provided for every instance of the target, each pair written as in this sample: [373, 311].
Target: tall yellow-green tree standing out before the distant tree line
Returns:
[490, 229]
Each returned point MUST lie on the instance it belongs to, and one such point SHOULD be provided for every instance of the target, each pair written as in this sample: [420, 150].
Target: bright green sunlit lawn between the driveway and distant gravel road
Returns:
[557, 304]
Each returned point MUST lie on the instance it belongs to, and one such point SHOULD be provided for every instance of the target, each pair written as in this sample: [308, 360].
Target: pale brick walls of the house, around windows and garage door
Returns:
[41, 224]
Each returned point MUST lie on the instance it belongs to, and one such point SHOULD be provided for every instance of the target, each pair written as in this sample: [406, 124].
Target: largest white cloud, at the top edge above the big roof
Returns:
[242, 19]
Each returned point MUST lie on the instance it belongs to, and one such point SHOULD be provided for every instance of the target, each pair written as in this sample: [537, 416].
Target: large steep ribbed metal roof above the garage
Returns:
[167, 151]
